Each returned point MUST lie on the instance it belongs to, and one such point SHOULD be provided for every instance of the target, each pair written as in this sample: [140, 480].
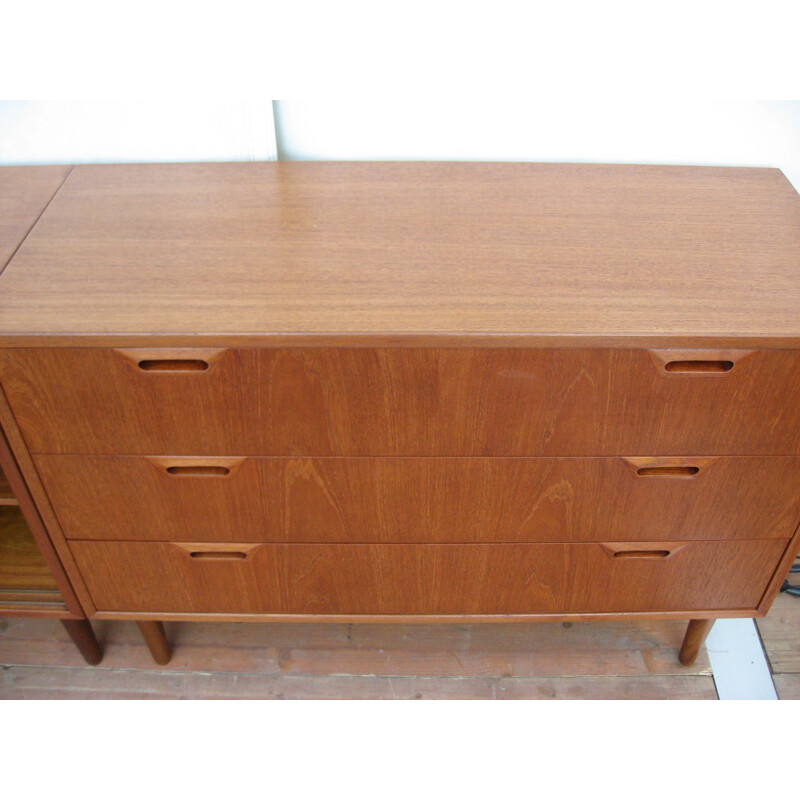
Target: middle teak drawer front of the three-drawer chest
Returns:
[416, 500]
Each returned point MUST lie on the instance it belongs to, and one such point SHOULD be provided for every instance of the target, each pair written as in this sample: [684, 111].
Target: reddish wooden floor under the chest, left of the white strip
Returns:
[491, 661]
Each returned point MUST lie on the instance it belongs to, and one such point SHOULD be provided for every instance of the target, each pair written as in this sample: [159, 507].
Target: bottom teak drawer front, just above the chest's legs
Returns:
[425, 579]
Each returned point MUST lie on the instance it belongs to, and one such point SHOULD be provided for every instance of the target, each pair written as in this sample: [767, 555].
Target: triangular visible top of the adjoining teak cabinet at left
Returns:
[25, 192]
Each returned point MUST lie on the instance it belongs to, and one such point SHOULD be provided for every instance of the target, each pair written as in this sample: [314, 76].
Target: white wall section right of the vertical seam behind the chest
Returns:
[733, 133]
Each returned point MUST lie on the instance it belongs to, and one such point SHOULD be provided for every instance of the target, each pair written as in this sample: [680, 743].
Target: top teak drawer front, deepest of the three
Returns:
[405, 401]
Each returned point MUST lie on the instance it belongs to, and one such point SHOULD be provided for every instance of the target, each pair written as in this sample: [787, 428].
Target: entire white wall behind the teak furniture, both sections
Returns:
[723, 132]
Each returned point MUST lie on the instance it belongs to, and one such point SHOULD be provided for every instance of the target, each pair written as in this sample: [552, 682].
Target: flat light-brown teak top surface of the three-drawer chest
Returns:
[404, 248]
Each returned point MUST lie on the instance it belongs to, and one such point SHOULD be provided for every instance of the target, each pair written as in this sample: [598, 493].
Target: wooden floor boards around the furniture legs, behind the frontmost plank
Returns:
[490, 650]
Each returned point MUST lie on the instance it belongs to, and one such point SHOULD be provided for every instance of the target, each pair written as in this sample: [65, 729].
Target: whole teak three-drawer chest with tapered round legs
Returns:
[304, 391]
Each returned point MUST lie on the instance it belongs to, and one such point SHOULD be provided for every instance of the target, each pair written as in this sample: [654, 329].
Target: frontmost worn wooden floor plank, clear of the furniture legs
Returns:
[74, 683]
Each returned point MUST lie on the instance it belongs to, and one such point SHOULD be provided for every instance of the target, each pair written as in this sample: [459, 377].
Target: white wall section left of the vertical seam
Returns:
[45, 132]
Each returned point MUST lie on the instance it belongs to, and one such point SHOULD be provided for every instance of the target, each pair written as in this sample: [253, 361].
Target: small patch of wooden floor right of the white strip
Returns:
[780, 633]
